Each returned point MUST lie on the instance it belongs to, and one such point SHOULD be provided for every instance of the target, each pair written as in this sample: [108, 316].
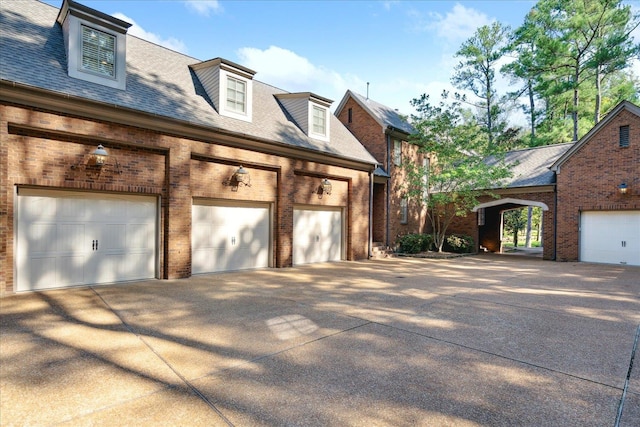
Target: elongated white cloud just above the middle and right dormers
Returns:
[299, 74]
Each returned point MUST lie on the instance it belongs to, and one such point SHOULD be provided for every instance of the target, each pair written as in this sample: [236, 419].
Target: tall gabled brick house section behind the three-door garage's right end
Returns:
[384, 132]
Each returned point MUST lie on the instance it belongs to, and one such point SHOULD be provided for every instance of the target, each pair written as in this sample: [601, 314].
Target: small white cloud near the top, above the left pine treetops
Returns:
[458, 24]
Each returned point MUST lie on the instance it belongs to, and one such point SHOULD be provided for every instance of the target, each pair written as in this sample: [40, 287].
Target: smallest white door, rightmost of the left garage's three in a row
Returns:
[317, 236]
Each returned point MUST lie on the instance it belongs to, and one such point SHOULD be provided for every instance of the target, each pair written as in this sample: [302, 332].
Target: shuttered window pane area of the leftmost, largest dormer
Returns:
[98, 52]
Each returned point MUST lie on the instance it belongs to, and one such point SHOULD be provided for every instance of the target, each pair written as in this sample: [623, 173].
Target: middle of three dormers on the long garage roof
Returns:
[228, 85]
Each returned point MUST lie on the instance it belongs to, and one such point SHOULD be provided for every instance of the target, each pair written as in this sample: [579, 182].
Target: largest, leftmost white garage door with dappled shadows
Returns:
[70, 239]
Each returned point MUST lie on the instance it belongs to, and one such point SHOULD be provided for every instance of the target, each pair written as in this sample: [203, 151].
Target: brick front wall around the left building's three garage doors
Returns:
[40, 149]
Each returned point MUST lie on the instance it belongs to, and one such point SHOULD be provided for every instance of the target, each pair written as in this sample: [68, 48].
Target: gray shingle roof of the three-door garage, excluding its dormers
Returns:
[159, 82]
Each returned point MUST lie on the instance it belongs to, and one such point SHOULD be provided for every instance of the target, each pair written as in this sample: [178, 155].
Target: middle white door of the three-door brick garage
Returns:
[226, 238]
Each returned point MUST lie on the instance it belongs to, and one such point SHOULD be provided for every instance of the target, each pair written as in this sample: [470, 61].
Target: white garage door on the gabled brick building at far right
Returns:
[611, 237]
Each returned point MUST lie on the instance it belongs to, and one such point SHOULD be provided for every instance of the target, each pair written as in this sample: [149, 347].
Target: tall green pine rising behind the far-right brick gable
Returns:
[578, 42]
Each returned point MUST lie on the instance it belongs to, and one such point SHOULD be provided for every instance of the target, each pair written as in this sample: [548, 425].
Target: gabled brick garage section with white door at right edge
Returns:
[598, 190]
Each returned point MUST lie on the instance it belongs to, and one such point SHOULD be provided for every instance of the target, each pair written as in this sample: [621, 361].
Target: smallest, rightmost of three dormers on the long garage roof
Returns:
[310, 112]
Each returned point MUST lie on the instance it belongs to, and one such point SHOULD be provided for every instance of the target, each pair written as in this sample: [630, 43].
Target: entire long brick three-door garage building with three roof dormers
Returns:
[122, 160]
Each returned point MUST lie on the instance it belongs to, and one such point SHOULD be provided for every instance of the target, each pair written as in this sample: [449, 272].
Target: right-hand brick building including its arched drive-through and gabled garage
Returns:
[589, 192]
